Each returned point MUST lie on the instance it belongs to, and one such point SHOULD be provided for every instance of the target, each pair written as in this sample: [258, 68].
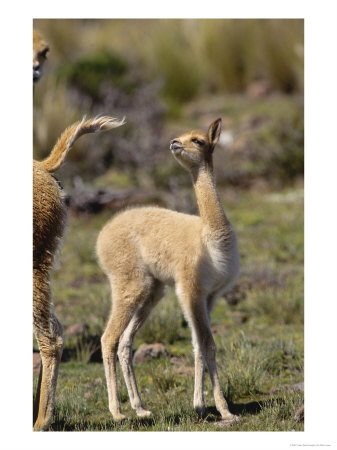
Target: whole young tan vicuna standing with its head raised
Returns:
[142, 249]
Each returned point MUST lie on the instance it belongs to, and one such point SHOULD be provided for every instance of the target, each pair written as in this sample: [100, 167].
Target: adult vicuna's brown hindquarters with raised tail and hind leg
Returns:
[49, 214]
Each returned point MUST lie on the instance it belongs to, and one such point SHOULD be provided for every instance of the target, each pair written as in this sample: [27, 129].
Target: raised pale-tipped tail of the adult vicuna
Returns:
[72, 133]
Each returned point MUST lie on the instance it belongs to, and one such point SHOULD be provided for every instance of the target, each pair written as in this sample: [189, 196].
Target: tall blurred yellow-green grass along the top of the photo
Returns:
[187, 55]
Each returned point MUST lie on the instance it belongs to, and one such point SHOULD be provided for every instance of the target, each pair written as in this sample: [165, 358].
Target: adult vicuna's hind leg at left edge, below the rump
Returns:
[48, 333]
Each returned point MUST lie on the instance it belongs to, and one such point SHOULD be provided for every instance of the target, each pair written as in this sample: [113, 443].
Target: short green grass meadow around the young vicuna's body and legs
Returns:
[259, 337]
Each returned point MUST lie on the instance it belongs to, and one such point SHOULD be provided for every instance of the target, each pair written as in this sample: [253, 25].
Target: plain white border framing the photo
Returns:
[320, 219]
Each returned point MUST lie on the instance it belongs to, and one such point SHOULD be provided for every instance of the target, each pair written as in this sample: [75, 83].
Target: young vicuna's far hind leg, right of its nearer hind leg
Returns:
[125, 348]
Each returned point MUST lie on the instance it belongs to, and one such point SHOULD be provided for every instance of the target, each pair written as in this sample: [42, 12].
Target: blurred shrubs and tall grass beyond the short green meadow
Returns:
[167, 76]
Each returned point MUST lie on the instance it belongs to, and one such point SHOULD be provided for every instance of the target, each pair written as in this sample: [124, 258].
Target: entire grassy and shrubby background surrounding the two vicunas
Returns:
[167, 77]
